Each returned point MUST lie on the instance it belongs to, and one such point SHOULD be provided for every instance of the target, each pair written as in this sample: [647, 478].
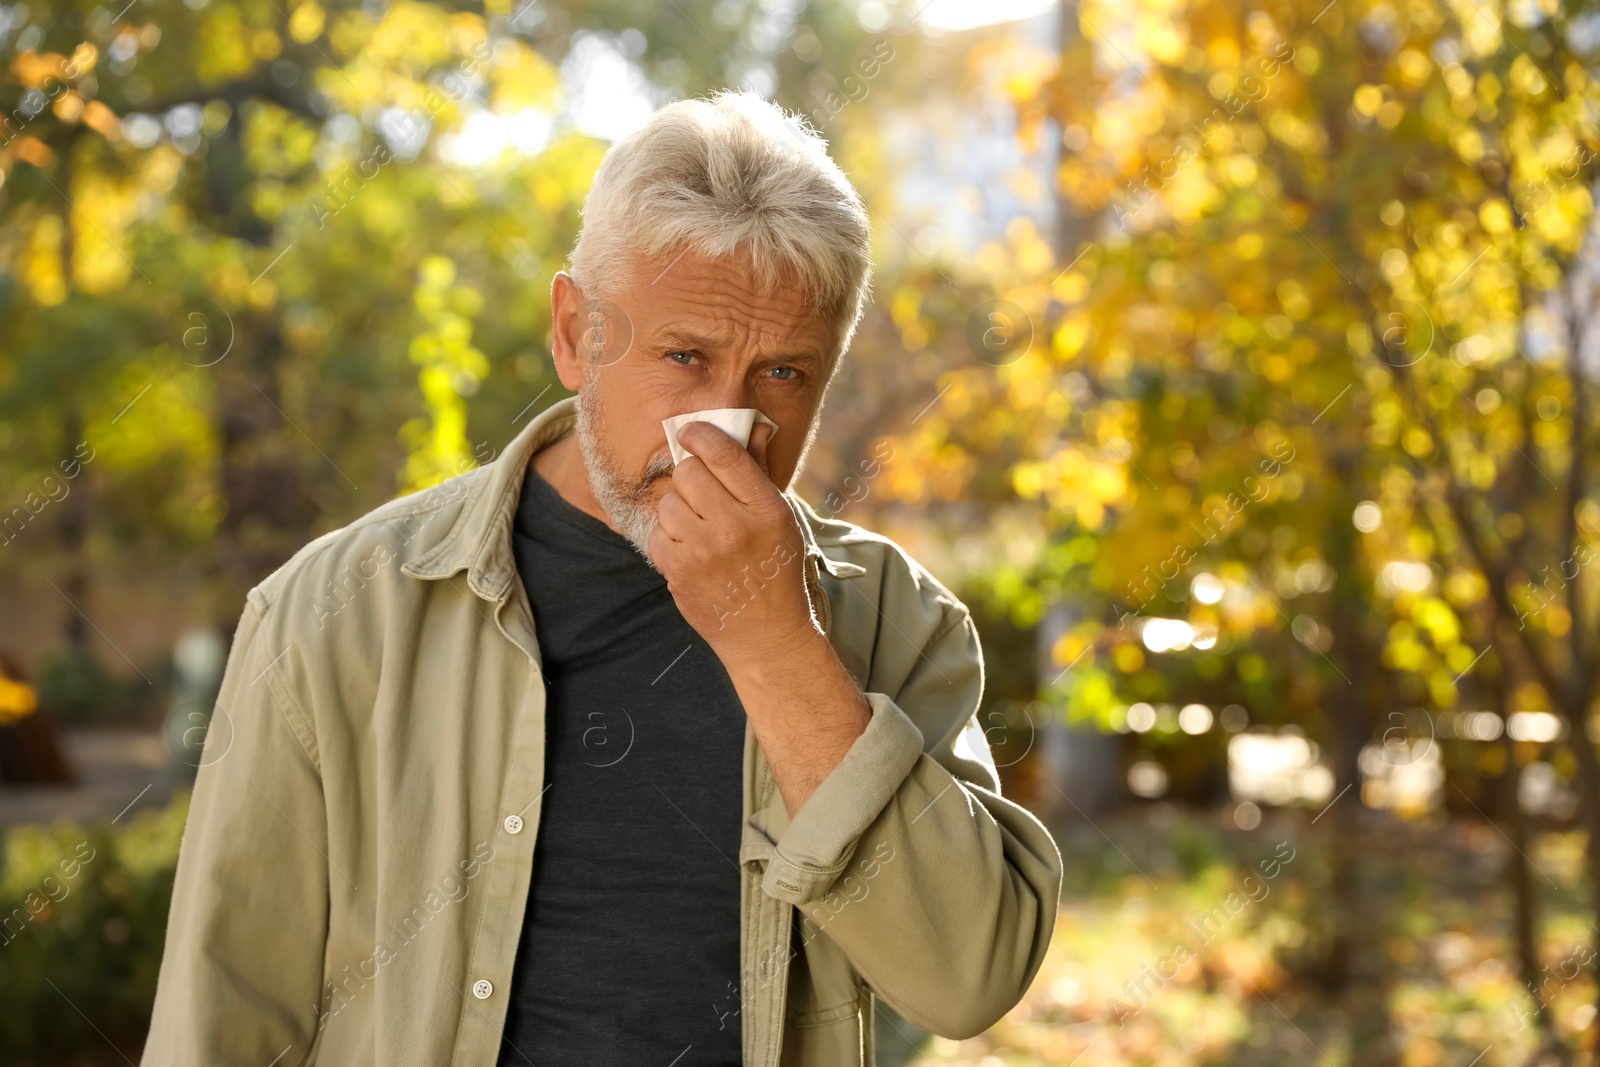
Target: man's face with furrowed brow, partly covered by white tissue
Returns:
[690, 334]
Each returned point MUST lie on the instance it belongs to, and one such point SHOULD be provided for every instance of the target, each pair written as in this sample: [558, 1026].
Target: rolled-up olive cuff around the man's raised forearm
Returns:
[822, 839]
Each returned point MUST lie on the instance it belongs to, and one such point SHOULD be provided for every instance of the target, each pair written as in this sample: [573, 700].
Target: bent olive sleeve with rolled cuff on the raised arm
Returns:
[942, 893]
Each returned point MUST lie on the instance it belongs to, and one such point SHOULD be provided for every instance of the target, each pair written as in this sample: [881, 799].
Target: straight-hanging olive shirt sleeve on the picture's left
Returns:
[241, 981]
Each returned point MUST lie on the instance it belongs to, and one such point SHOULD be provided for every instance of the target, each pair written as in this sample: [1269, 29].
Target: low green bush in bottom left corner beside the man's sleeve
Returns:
[81, 935]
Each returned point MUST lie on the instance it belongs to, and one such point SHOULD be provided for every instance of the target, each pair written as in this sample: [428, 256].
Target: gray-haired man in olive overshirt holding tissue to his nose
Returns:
[588, 757]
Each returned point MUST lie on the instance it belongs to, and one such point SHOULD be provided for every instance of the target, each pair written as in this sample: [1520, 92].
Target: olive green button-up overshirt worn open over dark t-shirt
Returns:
[356, 866]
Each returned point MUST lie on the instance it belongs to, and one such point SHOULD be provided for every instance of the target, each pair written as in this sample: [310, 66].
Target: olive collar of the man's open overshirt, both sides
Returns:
[479, 541]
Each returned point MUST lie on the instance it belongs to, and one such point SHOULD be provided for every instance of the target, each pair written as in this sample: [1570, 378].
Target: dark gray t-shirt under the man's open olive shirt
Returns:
[630, 949]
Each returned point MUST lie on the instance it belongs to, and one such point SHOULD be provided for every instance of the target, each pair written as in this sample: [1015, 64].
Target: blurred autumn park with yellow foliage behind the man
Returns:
[1234, 361]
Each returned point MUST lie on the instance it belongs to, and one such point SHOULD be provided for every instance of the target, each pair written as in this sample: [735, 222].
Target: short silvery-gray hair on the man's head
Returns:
[730, 174]
